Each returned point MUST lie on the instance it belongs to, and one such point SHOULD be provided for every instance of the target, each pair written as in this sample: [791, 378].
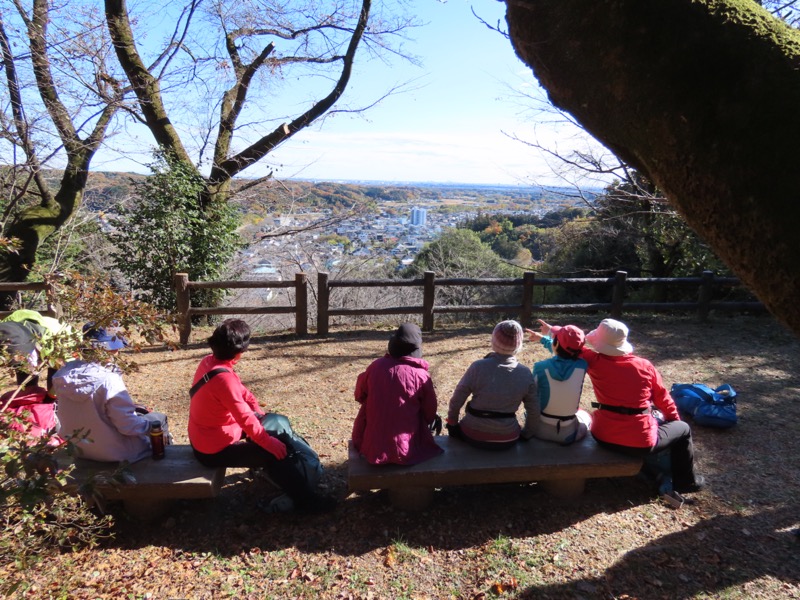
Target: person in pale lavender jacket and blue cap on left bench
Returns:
[93, 399]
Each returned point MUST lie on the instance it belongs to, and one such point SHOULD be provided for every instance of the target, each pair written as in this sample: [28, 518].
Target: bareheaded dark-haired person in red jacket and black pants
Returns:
[224, 421]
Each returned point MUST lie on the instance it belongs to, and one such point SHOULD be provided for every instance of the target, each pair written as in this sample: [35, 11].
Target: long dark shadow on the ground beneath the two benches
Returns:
[458, 518]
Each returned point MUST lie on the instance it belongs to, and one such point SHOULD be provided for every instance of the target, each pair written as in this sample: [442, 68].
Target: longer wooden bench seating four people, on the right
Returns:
[563, 470]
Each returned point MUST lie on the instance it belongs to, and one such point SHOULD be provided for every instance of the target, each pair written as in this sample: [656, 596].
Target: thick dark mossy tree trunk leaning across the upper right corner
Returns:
[700, 95]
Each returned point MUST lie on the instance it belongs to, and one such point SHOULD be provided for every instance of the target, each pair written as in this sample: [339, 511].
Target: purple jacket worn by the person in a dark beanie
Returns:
[398, 403]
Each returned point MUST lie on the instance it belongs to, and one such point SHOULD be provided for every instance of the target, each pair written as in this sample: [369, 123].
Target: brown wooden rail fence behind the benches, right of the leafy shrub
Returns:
[619, 285]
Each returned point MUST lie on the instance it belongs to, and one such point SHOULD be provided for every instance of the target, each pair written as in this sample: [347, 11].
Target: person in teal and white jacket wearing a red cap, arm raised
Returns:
[559, 383]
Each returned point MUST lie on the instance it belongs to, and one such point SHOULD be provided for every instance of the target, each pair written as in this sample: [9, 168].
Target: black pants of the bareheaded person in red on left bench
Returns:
[248, 454]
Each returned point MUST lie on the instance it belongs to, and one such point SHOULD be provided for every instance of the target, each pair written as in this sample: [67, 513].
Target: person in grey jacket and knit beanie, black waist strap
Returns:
[498, 384]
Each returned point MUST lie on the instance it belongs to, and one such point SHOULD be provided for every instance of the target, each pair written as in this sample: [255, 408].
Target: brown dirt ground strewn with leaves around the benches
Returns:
[738, 540]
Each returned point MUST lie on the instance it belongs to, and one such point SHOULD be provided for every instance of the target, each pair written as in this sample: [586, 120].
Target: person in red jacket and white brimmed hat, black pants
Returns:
[627, 387]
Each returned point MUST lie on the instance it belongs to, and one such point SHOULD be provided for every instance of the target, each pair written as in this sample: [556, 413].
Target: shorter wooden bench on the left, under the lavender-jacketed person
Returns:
[154, 485]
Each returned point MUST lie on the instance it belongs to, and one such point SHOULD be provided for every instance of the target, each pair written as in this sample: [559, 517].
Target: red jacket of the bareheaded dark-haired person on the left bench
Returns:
[222, 409]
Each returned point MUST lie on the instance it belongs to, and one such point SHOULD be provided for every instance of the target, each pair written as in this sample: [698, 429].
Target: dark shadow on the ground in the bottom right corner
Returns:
[719, 552]
